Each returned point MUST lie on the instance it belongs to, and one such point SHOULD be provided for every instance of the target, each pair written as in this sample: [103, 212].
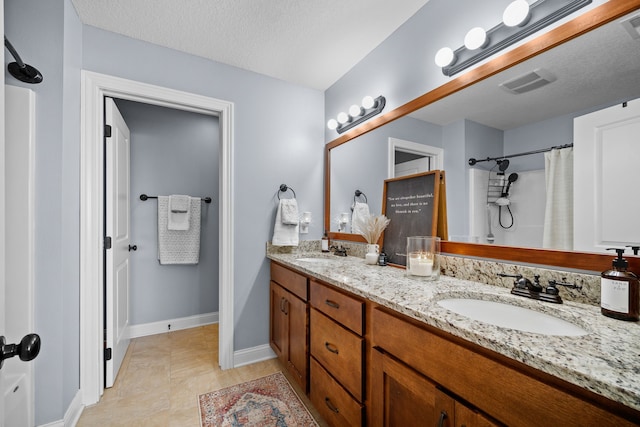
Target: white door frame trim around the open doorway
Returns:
[94, 88]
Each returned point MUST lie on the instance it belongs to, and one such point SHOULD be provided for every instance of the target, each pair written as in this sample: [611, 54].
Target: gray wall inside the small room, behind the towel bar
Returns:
[172, 152]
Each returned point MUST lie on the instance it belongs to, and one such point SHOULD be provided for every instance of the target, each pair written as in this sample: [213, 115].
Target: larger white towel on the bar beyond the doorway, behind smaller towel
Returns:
[178, 246]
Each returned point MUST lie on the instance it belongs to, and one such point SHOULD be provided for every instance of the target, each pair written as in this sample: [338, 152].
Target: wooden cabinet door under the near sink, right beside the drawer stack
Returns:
[402, 397]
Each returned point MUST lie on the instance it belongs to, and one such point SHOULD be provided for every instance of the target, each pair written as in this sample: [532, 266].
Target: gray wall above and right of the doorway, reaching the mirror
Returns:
[277, 139]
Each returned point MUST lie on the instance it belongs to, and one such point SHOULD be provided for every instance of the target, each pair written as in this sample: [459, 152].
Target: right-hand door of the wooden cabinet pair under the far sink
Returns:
[297, 313]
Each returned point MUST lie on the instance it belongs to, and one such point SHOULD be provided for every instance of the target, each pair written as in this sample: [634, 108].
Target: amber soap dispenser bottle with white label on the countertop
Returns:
[619, 291]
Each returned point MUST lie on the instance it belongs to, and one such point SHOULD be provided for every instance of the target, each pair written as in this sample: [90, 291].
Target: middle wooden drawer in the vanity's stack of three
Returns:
[339, 350]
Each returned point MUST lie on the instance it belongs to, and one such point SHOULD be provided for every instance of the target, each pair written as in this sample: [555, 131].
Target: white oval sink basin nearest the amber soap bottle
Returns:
[512, 317]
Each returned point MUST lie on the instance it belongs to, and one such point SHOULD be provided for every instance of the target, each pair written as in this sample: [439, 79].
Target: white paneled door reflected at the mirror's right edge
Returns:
[606, 158]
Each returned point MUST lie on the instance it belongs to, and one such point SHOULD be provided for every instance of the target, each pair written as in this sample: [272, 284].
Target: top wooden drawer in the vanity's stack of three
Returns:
[342, 308]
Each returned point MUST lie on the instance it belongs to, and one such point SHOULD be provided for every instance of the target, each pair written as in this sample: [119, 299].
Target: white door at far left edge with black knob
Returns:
[19, 155]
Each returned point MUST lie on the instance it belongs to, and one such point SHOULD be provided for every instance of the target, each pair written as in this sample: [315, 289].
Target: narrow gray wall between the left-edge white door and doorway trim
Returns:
[48, 35]
